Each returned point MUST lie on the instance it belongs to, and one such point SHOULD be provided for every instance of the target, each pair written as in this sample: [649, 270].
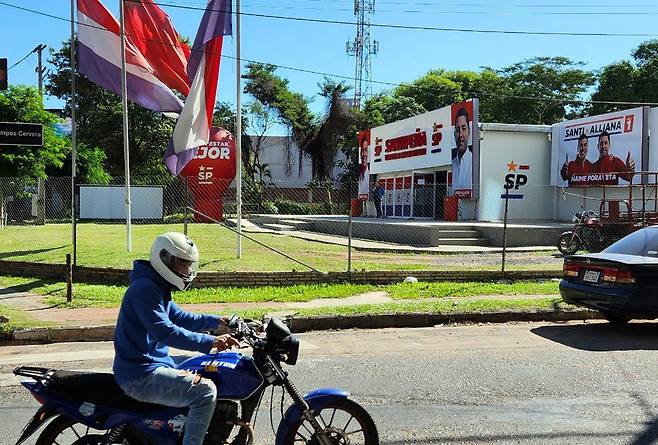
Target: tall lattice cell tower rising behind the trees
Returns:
[363, 48]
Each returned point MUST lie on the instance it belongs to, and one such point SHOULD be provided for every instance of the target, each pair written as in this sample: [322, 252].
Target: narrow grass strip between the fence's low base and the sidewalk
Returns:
[93, 295]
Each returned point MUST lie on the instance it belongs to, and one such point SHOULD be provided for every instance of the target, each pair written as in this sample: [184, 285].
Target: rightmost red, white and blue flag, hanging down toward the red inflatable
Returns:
[194, 123]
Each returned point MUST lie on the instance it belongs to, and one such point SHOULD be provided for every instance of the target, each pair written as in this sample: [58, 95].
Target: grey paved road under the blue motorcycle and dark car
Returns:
[533, 383]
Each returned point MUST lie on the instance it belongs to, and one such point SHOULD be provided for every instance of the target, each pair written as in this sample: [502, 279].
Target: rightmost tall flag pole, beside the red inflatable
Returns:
[238, 130]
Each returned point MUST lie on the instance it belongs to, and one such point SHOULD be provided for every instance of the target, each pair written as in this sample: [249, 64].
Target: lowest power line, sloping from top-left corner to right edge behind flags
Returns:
[338, 76]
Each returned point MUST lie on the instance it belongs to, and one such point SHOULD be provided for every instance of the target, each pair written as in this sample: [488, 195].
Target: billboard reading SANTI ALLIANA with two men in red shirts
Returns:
[599, 150]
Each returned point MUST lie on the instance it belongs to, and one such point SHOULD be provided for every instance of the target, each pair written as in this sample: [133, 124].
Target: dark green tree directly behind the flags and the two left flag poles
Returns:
[99, 123]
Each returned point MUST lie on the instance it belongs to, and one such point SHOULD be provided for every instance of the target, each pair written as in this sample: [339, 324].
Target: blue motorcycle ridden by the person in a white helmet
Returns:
[90, 408]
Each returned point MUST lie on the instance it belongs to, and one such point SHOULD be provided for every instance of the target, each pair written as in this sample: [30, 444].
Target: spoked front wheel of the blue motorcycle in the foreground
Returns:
[344, 422]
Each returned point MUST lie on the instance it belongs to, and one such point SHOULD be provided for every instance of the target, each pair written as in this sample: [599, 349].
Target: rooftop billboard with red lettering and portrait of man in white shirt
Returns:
[439, 138]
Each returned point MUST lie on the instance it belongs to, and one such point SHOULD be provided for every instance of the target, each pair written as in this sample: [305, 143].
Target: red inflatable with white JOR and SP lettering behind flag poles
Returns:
[210, 173]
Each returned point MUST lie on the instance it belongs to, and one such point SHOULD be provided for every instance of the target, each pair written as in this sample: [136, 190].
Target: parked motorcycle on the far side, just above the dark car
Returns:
[587, 234]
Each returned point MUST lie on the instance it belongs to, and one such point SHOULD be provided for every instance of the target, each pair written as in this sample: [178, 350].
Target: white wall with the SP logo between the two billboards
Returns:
[525, 145]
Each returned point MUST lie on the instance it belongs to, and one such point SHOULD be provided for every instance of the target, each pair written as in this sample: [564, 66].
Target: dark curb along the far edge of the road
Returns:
[332, 322]
